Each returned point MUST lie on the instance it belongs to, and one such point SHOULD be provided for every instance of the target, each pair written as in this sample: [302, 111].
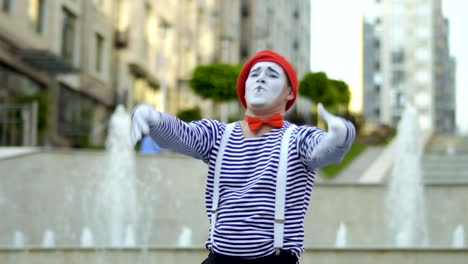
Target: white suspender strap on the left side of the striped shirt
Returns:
[217, 173]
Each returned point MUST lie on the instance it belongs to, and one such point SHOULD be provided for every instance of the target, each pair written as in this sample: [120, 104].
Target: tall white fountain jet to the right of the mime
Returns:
[405, 205]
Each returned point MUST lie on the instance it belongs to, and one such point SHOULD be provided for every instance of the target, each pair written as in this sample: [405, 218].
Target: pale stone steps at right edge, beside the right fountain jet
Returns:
[445, 159]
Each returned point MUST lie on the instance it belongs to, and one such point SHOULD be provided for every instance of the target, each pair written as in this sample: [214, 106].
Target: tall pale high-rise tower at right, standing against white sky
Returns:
[412, 65]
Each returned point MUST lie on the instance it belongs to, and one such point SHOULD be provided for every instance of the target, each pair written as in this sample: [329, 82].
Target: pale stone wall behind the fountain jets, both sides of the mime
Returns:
[54, 192]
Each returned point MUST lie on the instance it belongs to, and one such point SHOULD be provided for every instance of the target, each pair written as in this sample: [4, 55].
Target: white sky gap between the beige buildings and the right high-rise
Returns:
[335, 42]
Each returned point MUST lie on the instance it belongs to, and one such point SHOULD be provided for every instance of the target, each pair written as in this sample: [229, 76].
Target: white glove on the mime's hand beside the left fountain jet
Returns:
[143, 117]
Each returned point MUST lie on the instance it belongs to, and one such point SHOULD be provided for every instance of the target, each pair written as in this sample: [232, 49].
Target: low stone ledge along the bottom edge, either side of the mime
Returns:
[197, 255]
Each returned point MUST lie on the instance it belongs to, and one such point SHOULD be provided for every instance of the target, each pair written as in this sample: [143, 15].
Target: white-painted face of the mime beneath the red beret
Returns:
[264, 84]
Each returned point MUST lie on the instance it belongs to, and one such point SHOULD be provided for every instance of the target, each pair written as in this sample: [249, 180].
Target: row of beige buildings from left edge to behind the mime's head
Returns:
[85, 57]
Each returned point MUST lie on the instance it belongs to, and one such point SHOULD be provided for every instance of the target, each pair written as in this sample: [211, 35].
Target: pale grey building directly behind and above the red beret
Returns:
[279, 25]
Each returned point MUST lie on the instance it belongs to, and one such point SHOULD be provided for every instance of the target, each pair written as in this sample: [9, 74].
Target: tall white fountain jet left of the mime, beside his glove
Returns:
[117, 205]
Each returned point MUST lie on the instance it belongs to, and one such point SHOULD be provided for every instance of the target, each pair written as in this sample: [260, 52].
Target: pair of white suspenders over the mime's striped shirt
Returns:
[280, 198]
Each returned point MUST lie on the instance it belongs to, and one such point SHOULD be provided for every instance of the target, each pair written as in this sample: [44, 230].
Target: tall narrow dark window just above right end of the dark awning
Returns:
[68, 35]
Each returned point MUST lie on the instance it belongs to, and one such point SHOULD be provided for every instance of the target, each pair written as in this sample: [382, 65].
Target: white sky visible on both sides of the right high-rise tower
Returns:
[336, 38]
